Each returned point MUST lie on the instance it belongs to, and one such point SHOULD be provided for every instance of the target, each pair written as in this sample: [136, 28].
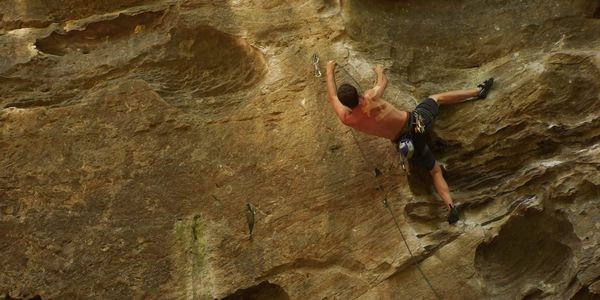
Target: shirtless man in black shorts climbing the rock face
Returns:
[408, 130]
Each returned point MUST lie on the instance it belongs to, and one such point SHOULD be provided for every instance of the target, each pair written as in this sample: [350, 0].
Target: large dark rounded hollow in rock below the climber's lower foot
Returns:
[531, 252]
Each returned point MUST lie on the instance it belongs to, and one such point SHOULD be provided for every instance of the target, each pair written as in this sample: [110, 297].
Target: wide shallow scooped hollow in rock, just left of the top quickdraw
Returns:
[201, 62]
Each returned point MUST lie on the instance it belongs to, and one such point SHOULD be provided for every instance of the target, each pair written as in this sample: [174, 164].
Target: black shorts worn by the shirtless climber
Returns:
[428, 110]
